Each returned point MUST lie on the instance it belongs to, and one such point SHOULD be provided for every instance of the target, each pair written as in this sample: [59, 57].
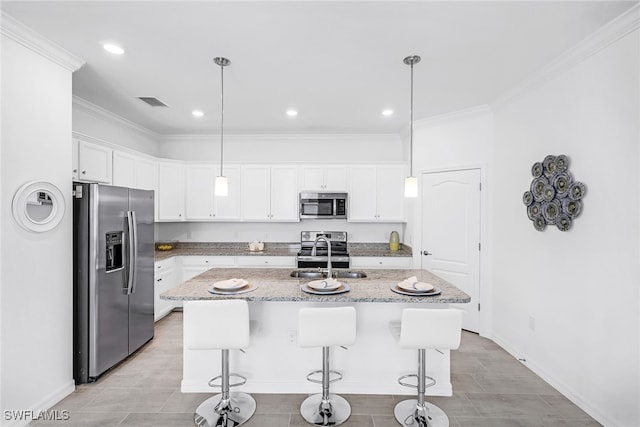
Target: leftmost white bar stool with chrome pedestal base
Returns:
[220, 325]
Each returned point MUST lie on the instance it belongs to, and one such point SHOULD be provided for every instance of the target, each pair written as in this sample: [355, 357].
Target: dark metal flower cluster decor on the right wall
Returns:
[554, 197]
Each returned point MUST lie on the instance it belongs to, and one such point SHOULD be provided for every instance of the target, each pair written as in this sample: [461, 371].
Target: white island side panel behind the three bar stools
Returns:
[274, 362]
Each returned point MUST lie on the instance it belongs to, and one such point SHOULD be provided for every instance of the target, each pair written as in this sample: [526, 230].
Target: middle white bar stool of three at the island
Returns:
[325, 327]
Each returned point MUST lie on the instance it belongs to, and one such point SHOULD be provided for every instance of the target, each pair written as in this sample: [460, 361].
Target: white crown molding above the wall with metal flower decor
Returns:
[610, 33]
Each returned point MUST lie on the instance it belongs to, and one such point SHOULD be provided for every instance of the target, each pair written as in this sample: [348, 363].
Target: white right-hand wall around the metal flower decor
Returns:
[568, 302]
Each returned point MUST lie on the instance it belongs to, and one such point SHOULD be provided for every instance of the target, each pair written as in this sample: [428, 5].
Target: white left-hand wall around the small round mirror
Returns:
[36, 273]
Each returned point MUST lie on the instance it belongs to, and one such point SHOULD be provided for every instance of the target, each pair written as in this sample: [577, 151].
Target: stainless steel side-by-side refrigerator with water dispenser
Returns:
[113, 276]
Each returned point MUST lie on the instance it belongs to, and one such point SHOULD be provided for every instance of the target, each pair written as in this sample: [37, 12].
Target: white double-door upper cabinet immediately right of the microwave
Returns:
[376, 193]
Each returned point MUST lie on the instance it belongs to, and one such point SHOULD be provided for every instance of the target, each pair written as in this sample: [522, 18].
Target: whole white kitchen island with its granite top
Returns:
[274, 363]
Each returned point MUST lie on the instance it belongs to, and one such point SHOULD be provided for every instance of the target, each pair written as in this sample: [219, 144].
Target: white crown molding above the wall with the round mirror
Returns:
[17, 31]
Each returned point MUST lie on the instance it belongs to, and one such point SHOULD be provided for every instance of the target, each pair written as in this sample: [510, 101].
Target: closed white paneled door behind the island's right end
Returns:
[451, 233]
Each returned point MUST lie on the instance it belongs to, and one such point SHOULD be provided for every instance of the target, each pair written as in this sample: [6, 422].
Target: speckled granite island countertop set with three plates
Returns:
[275, 284]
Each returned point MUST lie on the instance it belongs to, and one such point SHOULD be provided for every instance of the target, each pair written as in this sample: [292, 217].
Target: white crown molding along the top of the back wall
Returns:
[277, 137]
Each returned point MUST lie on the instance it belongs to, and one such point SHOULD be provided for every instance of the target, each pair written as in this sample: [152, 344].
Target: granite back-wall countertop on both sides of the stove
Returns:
[273, 249]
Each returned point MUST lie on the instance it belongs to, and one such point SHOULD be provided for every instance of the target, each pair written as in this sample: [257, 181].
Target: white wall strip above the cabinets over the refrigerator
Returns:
[104, 127]
